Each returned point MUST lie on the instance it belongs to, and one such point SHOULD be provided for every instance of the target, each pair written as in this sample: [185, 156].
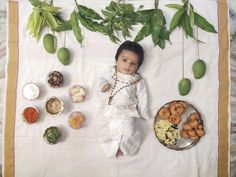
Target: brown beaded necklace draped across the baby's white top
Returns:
[115, 77]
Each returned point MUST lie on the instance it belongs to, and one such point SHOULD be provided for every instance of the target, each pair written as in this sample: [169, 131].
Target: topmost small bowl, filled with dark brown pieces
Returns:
[55, 79]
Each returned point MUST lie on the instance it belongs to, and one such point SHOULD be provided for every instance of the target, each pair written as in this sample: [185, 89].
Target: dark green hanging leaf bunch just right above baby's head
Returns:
[154, 24]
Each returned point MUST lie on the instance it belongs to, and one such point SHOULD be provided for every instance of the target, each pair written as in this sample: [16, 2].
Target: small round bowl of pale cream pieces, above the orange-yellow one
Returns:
[77, 93]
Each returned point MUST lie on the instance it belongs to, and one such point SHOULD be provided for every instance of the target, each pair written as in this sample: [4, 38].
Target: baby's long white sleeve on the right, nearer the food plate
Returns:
[142, 97]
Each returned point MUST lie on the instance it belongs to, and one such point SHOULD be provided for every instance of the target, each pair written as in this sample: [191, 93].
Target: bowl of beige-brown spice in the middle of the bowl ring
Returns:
[54, 105]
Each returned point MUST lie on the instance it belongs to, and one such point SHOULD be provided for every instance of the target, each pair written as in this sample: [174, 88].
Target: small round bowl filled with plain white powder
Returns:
[30, 91]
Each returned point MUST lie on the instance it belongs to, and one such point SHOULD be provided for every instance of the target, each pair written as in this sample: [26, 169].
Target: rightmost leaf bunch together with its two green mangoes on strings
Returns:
[186, 18]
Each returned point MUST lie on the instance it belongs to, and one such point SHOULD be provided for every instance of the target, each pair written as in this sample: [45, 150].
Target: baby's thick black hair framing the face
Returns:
[134, 47]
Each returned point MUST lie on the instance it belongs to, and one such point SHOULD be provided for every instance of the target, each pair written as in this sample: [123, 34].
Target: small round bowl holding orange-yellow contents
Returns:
[76, 120]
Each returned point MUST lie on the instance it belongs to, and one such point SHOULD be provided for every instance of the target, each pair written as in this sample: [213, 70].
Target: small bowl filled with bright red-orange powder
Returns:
[30, 114]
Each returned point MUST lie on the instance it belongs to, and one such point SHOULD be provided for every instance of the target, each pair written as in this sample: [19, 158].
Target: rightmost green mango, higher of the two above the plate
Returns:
[199, 69]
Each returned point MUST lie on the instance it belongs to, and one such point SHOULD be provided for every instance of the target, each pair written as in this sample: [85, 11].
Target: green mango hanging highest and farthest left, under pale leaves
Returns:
[49, 43]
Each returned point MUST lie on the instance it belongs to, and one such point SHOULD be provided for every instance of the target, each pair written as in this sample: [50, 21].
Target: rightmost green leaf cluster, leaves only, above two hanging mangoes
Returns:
[186, 18]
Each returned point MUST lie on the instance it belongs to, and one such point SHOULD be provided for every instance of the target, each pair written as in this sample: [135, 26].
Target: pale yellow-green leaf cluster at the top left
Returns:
[43, 14]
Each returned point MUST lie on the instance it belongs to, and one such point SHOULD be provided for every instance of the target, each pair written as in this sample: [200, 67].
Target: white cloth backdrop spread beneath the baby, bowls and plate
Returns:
[79, 154]
